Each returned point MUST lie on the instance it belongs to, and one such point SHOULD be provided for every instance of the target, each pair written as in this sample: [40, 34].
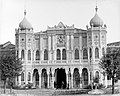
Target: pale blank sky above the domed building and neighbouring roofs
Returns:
[43, 13]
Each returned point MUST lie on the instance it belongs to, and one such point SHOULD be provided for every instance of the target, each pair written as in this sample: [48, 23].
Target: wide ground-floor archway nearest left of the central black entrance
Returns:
[44, 78]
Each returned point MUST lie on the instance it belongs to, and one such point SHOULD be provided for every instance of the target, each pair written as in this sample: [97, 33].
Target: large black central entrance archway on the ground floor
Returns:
[60, 82]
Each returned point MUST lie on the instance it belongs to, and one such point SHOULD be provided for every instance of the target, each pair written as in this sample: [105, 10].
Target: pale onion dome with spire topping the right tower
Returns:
[96, 21]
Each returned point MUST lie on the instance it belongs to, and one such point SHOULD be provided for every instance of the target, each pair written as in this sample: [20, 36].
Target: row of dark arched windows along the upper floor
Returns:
[62, 56]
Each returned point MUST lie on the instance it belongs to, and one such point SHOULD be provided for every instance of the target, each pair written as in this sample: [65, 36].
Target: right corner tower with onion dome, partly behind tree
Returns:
[96, 39]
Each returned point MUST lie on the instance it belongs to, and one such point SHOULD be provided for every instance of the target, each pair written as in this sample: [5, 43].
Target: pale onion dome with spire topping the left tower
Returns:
[24, 24]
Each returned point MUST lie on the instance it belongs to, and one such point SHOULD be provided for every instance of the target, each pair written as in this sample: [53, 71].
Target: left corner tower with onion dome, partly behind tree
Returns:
[24, 45]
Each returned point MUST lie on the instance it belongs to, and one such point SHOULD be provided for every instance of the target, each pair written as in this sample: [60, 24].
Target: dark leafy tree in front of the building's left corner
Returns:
[10, 67]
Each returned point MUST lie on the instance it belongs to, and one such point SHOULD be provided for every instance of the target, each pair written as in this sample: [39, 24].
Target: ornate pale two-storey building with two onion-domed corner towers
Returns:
[62, 56]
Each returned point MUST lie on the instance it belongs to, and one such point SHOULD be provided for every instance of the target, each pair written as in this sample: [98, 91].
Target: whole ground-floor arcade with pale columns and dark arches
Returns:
[60, 78]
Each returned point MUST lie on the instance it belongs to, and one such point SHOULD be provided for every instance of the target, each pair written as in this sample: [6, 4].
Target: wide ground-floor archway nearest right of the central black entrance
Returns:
[76, 78]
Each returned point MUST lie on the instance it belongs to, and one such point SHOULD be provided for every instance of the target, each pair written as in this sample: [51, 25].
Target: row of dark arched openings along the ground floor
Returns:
[61, 79]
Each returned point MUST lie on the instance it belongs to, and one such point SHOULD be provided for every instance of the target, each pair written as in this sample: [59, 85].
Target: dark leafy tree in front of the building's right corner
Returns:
[110, 63]
